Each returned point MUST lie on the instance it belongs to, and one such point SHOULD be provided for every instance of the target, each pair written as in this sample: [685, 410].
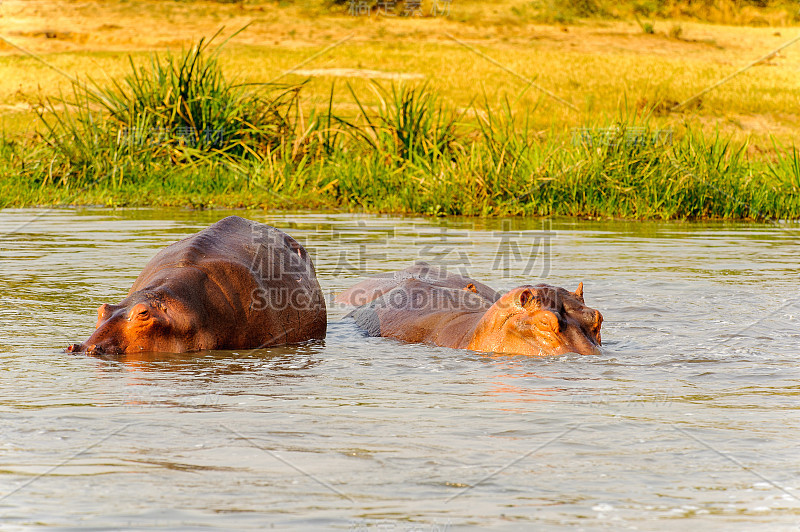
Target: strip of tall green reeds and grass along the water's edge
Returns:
[175, 131]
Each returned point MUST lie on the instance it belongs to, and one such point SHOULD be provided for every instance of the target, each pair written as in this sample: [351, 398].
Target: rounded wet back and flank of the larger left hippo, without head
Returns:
[266, 277]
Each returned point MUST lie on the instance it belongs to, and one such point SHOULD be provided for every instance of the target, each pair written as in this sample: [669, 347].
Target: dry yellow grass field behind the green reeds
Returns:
[602, 68]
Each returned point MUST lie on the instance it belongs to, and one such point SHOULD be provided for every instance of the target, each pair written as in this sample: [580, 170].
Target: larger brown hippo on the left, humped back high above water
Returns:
[234, 285]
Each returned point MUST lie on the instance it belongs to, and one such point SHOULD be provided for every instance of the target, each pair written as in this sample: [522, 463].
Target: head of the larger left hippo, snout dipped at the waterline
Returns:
[144, 321]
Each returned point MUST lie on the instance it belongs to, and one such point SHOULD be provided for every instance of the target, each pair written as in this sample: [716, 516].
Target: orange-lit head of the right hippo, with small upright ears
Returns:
[541, 319]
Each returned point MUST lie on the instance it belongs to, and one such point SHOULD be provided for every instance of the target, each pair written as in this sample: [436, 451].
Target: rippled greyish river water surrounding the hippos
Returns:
[689, 419]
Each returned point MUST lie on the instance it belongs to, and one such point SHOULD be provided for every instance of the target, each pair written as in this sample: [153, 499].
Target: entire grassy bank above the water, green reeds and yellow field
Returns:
[397, 114]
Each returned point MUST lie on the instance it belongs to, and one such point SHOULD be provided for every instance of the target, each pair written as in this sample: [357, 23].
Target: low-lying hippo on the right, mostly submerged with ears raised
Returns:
[429, 305]
